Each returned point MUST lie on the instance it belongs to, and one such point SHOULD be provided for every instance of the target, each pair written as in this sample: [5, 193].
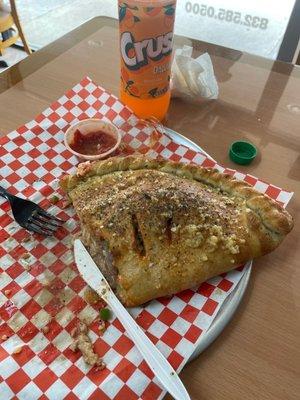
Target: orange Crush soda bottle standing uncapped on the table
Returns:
[146, 40]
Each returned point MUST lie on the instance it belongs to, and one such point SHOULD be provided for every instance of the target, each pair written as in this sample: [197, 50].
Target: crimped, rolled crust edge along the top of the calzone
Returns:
[273, 215]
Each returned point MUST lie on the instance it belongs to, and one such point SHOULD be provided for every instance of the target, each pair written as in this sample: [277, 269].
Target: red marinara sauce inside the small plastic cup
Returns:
[93, 143]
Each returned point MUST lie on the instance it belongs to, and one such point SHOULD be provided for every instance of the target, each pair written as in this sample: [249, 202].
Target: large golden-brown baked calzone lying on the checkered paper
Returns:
[156, 227]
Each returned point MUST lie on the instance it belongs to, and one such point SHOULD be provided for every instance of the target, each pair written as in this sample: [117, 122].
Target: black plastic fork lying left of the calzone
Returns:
[31, 216]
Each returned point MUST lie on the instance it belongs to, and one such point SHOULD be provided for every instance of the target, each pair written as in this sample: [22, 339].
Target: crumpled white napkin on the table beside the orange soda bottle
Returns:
[193, 78]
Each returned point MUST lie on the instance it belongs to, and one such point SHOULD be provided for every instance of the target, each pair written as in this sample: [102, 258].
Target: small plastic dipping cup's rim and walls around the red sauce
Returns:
[87, 126]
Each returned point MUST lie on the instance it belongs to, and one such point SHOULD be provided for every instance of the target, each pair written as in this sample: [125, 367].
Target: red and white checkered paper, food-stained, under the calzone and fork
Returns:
[32, 159]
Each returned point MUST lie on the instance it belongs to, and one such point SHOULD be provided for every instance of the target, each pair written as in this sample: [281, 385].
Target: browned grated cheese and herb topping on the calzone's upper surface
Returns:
[166, 203]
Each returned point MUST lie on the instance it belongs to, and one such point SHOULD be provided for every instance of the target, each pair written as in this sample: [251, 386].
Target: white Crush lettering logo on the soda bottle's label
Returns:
[137, 54]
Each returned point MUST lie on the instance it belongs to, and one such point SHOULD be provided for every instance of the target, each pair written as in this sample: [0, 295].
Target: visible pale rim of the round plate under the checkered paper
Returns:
[230, 305]
